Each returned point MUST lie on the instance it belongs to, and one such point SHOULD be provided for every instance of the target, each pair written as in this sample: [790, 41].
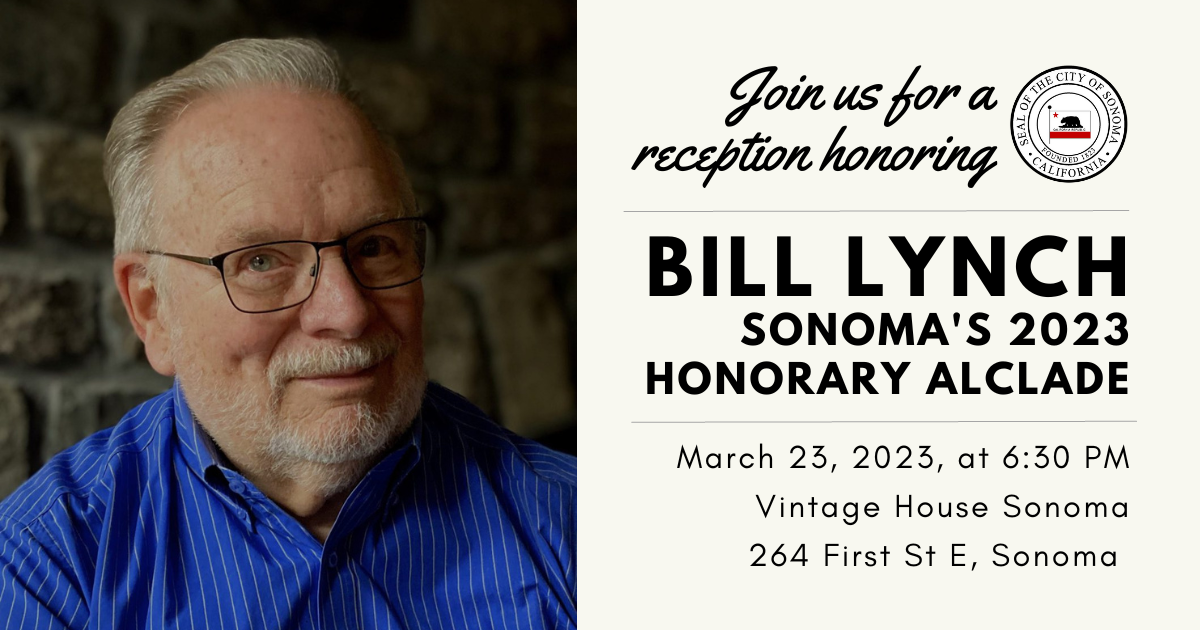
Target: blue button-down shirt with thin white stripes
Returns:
[142, 526]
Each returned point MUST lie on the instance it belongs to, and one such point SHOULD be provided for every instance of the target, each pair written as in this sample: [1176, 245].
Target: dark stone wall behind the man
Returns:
[481, 98]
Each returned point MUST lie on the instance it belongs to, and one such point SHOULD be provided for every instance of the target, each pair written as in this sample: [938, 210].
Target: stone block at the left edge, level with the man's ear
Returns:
[45, 319]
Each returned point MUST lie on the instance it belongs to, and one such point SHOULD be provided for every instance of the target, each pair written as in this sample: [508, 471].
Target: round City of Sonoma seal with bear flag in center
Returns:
[1069, 124]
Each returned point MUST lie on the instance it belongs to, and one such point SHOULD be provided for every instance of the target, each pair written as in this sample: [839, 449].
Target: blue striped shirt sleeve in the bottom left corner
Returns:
[38, 585]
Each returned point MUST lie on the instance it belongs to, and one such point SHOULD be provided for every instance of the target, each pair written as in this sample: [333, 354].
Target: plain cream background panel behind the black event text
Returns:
[662, 548]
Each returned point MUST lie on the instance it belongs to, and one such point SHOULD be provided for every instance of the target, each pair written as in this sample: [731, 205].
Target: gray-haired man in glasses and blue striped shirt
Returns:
[301, 473]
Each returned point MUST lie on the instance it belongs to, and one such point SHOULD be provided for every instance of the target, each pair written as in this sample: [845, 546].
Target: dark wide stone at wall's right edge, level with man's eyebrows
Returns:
[487, 215]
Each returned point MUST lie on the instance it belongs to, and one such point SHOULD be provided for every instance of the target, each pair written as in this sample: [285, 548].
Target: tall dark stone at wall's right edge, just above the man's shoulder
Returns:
[527, 344]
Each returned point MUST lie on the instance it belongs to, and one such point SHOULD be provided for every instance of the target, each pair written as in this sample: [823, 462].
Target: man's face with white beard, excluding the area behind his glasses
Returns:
[331, 381]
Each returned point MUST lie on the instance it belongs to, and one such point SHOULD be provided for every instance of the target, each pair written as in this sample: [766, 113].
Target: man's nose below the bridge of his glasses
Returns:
[338, 307]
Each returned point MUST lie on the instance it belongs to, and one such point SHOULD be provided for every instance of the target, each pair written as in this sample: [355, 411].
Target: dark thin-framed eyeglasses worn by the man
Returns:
[273, 277]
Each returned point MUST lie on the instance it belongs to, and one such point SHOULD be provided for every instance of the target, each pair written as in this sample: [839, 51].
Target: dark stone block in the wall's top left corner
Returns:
[56, 59]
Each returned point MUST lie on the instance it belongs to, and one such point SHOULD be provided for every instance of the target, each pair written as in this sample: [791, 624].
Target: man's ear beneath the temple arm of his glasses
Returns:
[141, 299]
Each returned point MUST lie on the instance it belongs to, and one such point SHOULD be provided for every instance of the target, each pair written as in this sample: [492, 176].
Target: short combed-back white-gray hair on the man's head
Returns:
[302, 65]
